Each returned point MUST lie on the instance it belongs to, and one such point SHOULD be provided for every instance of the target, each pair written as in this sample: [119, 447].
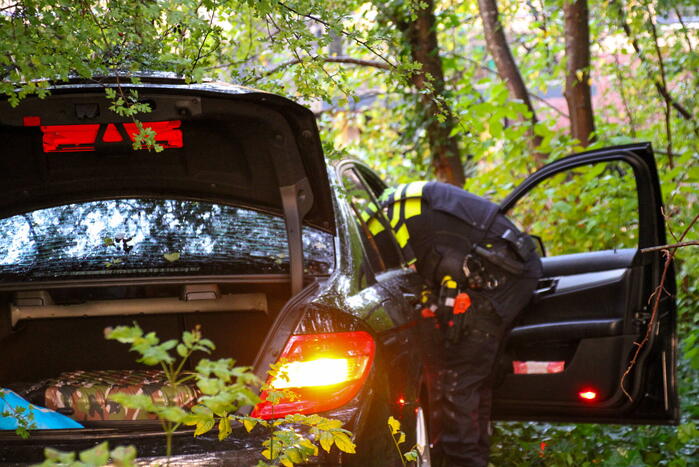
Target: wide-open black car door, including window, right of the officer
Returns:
[566, 357]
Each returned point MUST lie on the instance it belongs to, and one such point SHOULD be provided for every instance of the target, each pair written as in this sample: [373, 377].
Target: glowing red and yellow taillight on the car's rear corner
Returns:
[324, 371]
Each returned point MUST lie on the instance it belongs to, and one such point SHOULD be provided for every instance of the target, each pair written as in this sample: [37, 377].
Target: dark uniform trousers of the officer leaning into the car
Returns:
[462, 373]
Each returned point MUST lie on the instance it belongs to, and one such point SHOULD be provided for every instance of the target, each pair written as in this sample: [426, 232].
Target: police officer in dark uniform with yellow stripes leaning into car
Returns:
[480, 272]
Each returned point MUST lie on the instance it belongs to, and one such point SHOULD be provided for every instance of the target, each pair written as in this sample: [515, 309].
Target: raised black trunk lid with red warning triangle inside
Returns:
[222, 143]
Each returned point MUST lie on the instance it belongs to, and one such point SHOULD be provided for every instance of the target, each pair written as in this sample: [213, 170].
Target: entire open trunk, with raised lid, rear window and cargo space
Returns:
[216, 228]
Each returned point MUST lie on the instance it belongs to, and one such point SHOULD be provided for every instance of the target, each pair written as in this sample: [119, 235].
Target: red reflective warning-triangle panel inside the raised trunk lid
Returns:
[74, 138]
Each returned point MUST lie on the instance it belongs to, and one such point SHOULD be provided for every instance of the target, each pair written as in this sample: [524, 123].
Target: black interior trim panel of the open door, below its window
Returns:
[579, 320]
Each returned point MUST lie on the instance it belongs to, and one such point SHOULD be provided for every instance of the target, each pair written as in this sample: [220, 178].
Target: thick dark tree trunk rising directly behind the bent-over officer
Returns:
[421, 36]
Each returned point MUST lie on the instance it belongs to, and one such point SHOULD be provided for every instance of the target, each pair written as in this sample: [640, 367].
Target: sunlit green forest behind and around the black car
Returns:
[475, 93]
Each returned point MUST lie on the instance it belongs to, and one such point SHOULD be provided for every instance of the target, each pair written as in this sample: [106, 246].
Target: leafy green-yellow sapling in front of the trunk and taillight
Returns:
[224, 389]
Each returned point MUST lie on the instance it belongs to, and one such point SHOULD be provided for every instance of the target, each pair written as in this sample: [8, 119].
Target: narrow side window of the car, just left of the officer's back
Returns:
[381, 251]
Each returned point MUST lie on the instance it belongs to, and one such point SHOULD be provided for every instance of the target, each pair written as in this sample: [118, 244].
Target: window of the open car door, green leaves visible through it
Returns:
[588, 208]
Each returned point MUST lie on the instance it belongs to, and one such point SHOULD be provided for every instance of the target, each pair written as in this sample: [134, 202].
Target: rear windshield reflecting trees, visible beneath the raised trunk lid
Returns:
[150, 237]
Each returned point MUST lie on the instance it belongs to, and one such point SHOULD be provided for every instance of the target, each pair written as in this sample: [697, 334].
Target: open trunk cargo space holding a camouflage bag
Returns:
[64, 362]
